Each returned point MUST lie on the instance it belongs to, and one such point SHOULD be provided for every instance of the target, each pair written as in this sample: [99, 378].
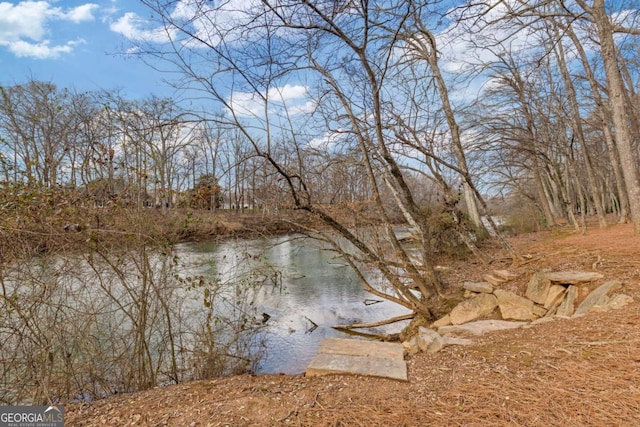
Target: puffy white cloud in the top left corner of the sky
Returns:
[24, 25]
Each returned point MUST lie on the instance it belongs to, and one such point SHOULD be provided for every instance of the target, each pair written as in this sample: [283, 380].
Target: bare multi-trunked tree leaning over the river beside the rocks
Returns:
[322, 86]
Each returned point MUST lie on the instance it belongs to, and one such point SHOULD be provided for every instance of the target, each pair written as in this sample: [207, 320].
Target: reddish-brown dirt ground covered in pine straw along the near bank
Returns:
[569, 372]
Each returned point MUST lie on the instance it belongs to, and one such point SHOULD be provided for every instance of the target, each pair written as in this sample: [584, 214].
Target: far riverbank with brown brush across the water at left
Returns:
[40, 228]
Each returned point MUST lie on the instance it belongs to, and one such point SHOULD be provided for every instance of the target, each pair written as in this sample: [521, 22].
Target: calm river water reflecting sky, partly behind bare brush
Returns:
[115, 321]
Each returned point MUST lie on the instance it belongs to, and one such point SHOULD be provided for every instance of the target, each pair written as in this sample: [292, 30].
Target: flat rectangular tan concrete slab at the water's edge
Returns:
[348, 356]
